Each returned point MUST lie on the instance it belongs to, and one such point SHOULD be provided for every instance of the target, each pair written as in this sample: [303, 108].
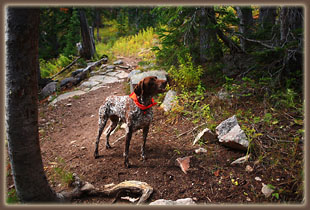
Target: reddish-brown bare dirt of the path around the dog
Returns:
[68, 132]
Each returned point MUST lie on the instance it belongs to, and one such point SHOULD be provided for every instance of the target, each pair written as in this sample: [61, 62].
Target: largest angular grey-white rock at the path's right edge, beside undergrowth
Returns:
[230, 134]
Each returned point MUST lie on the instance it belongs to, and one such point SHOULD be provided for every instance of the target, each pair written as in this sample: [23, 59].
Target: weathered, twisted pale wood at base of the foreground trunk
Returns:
[84, 188]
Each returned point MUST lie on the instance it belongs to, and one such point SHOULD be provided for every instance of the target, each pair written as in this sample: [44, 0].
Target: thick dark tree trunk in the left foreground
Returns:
[21, 106]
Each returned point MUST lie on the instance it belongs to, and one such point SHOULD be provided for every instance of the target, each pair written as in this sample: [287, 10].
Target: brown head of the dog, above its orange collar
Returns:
[150, 86]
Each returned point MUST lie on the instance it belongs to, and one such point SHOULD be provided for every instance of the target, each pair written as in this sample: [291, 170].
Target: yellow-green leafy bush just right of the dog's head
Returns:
[187, 76]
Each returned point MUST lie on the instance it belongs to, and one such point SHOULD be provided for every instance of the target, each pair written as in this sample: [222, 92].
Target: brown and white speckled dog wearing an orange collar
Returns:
[134, 110]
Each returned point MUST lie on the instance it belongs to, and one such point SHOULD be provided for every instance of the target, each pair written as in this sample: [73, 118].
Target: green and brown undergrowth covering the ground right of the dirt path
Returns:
[271, 119]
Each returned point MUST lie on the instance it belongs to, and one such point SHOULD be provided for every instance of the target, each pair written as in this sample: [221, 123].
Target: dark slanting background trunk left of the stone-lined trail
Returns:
[88, 48]
